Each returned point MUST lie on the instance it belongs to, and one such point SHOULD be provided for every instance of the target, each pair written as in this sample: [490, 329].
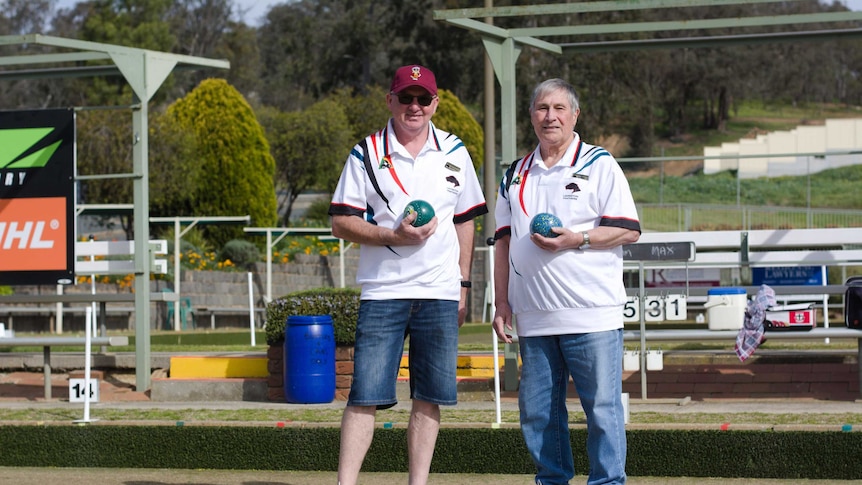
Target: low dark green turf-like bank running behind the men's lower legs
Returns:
[825, 455]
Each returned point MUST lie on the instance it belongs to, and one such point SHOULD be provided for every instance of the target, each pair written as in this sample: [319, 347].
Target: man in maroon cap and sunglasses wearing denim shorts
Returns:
[414, 279]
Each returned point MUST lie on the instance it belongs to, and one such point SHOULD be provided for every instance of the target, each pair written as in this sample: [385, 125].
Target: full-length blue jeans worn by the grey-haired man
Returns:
[594, 360]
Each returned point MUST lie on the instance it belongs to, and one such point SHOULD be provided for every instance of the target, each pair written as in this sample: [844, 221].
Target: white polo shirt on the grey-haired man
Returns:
[573, 291]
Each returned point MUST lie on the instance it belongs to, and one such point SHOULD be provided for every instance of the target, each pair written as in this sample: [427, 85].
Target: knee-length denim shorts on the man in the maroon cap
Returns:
[383, 326]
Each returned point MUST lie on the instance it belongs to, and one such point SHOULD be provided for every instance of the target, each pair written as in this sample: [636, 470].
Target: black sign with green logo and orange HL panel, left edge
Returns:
[37, 197]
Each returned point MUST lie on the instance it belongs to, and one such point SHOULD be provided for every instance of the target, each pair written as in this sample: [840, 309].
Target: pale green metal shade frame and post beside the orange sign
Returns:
[145, 71]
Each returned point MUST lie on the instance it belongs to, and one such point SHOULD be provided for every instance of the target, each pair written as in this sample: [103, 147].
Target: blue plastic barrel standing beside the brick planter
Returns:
[309, 359]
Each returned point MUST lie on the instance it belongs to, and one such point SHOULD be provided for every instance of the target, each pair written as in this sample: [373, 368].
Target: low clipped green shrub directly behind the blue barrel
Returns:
[342, 304]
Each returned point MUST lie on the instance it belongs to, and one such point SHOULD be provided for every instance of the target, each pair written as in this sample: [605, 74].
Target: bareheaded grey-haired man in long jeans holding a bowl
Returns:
[566, 288]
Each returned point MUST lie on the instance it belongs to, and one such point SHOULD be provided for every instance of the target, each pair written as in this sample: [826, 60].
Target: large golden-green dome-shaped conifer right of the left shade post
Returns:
[236, 167]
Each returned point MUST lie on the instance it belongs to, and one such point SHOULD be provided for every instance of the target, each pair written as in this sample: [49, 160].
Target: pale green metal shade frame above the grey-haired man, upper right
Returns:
[503, 46]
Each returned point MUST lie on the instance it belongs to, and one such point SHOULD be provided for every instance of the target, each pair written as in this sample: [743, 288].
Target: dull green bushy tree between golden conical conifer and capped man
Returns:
[309, 148]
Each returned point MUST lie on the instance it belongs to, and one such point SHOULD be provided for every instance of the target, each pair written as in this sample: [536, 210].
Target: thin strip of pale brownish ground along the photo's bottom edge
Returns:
[137, 476]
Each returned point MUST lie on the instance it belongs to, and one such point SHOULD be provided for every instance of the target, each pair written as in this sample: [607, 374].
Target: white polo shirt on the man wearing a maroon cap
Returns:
[379, 179]
